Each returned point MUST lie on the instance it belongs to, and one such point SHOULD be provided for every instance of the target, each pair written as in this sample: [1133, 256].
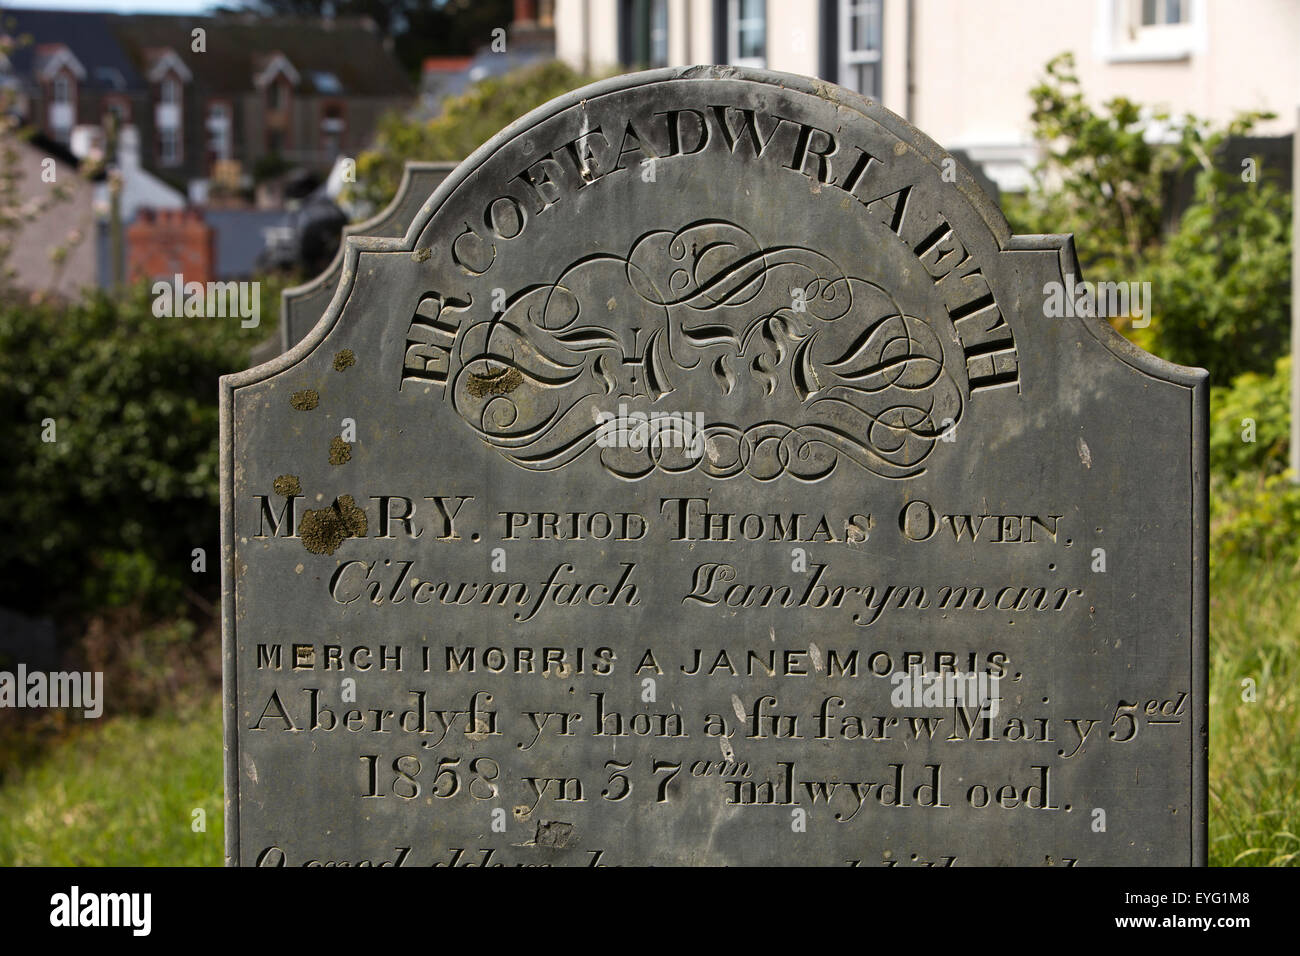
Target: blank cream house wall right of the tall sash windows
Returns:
[977, 63]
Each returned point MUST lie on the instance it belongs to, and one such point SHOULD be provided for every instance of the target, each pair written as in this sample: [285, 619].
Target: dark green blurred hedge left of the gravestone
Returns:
[111, 512]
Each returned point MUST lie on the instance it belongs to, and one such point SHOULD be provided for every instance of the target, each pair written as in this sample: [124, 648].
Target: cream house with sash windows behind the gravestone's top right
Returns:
[963, 72]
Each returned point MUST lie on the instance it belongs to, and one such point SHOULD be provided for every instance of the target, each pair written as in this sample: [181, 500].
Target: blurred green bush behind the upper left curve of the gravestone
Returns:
[466, 123]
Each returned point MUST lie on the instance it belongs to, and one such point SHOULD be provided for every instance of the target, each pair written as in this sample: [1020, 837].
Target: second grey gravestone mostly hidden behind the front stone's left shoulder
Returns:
[304, 306]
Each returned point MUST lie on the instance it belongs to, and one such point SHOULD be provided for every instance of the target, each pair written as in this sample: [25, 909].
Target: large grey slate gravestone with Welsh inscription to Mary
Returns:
[710, 478]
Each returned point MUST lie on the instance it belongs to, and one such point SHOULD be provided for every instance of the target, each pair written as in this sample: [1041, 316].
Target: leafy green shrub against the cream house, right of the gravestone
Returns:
[1220, 282]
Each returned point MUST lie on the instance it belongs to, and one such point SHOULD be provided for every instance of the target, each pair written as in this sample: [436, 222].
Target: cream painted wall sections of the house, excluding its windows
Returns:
[976, 62]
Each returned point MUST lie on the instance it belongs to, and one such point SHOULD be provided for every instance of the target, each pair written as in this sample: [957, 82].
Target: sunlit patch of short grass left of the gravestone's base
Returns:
[122, 795]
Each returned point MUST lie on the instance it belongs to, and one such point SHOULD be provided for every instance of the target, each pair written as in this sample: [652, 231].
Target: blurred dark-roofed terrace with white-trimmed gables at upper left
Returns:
[218, 97]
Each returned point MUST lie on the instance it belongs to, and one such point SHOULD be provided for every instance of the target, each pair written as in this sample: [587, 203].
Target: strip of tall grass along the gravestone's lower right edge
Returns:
[1255, 747]
